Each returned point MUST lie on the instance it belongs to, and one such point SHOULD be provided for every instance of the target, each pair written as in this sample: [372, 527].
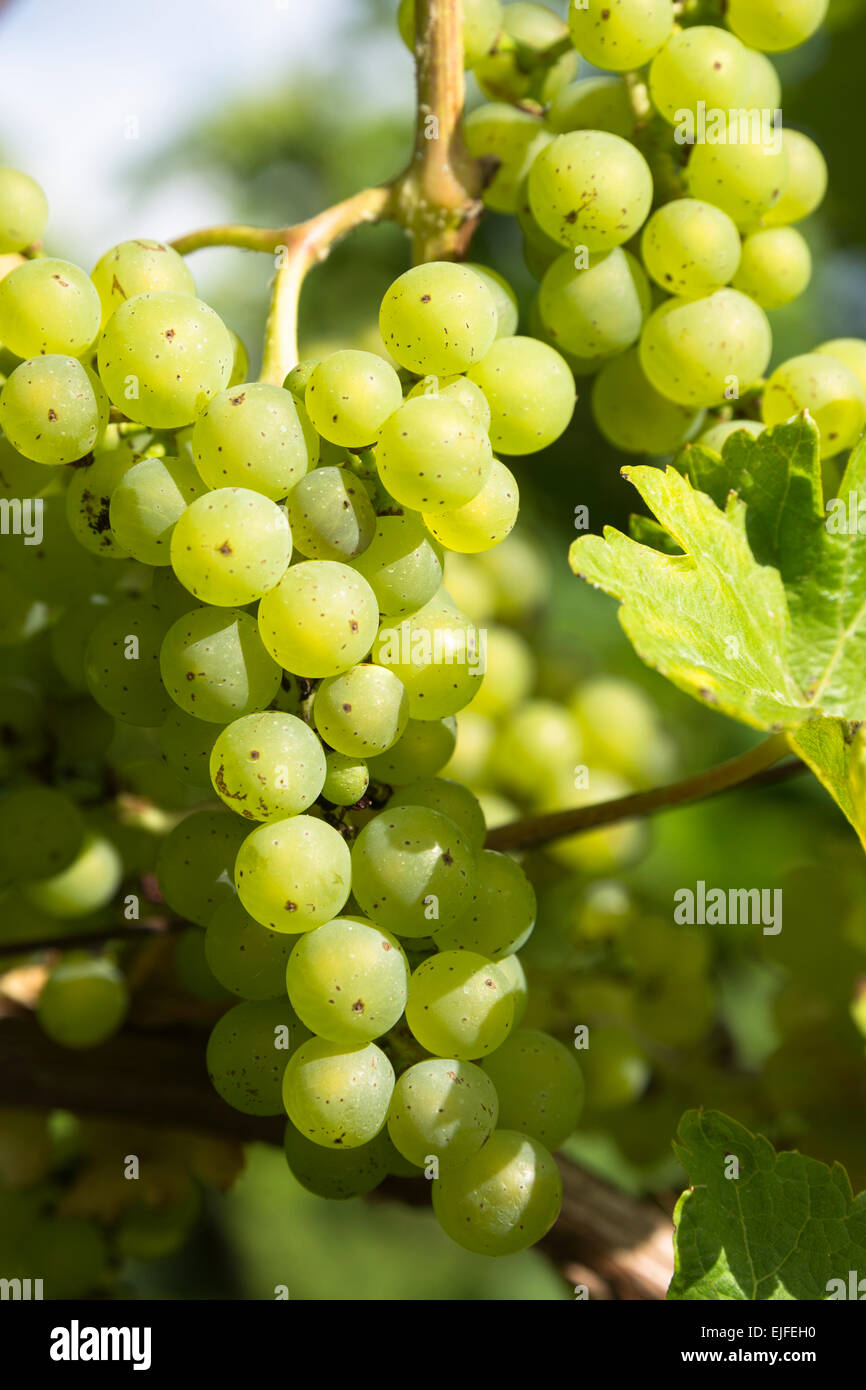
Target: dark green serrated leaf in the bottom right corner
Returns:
[785, 1228]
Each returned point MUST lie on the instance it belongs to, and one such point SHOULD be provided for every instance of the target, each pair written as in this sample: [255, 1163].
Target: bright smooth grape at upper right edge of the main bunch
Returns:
[530, 390]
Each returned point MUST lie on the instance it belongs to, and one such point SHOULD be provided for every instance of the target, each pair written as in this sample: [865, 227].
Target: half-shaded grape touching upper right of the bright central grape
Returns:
[402, 564]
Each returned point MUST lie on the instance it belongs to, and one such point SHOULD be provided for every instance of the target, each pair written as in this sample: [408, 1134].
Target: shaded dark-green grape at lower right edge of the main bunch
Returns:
[540, 1088]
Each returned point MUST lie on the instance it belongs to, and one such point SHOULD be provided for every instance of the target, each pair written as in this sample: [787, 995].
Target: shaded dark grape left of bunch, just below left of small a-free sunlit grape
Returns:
[195, 864]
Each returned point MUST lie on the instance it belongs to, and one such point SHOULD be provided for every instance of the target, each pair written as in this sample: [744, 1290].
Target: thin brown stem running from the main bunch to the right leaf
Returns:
[755, 768]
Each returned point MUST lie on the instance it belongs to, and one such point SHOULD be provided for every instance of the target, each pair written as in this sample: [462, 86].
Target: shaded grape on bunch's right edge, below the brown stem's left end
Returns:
[503, 914]
